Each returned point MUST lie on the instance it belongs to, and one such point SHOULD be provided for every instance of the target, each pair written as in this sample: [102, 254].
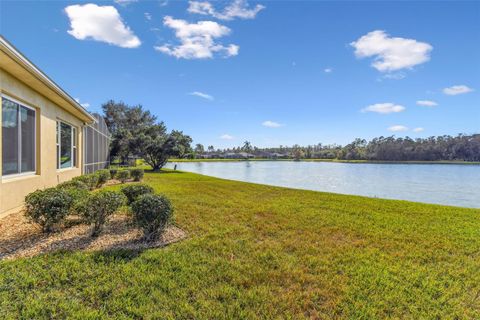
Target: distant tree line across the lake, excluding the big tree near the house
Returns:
[461, 147]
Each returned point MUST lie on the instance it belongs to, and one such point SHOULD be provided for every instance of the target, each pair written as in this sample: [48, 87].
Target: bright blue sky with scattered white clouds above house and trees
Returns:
[270, 72]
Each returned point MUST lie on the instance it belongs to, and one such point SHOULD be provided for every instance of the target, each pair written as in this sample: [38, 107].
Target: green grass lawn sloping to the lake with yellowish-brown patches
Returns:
[266, 252]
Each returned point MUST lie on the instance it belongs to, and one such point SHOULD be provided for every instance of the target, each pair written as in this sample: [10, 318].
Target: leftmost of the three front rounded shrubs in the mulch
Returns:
[47, 207]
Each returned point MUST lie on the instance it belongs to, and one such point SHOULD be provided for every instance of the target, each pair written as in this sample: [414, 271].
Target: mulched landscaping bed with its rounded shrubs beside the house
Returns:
[69, 217]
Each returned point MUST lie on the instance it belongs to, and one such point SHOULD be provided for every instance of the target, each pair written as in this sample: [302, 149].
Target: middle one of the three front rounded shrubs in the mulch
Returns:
[98, 207]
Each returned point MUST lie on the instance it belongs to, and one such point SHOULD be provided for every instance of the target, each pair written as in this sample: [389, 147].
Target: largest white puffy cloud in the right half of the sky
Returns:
[391, 54]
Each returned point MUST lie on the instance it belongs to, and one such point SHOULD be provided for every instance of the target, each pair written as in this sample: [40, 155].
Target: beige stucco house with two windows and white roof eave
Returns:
[42, 134]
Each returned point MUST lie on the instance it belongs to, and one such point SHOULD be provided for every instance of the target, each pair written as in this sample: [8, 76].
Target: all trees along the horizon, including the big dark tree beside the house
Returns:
[136, 133]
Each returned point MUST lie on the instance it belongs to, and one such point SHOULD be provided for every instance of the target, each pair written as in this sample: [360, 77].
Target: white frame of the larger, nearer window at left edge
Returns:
[19, 147]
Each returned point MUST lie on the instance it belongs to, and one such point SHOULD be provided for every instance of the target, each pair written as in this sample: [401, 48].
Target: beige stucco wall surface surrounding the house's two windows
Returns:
[14, 190]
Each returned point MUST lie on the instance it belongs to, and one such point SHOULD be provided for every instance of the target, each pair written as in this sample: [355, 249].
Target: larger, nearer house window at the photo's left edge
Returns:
[18, 138]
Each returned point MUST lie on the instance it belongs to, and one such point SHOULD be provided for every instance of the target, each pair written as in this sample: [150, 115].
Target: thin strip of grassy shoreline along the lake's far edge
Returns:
[332, 160]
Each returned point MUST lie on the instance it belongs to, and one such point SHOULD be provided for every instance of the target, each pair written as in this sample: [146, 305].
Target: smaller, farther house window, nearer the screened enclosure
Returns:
[66, 145]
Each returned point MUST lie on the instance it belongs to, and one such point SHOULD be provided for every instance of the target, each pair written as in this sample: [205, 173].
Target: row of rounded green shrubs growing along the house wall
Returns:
[51, 206]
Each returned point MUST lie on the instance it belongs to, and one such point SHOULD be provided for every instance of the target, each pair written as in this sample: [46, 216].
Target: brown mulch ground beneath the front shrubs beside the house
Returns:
[19, 238]
